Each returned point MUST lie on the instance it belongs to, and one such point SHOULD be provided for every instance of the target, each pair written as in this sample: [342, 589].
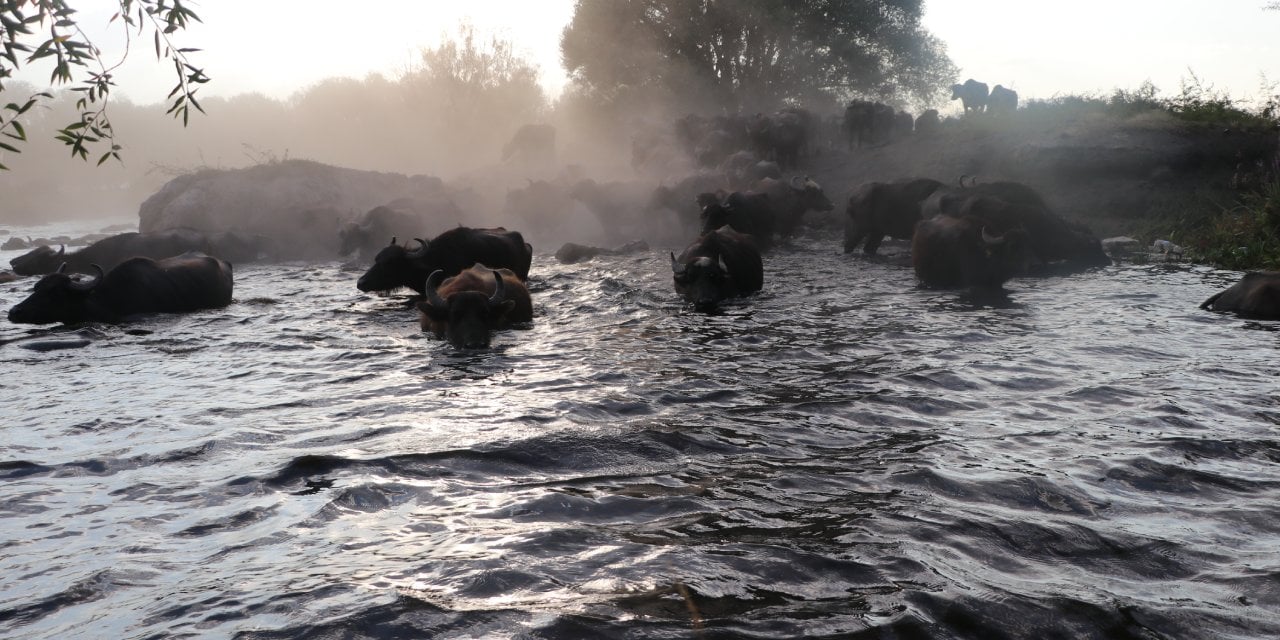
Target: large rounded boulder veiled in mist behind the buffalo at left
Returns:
[300, 205]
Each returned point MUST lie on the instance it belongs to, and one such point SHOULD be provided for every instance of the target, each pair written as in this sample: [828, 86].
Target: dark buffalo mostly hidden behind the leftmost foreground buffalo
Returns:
[113, 250]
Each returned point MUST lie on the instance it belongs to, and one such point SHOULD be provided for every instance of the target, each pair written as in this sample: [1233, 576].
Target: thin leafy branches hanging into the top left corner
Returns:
[77, 62]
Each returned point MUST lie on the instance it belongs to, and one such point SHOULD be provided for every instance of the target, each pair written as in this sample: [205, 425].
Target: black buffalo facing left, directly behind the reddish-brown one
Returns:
[452, 252]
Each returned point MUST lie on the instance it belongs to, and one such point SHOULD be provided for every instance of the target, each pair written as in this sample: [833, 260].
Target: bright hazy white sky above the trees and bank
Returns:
[1040, 49]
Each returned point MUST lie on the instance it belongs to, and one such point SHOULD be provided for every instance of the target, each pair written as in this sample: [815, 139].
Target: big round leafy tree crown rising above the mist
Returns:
[753, 54]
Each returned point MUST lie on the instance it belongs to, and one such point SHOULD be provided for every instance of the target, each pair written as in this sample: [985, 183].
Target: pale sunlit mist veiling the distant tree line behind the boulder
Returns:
[451, 117]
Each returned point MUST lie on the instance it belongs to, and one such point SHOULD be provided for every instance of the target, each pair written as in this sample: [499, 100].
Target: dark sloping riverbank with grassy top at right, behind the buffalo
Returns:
[1146, 173]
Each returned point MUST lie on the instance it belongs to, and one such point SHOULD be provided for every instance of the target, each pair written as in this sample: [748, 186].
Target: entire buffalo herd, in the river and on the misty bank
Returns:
[472, 281]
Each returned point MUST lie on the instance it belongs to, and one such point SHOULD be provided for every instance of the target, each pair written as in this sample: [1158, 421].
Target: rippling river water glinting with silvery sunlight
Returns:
[844, 455]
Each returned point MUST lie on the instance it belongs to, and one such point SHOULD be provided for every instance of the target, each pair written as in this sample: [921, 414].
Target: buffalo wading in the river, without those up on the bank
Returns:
[472, 281]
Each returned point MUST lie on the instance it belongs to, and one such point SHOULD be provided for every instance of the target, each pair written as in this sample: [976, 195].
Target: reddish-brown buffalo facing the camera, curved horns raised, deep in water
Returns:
[467, 308]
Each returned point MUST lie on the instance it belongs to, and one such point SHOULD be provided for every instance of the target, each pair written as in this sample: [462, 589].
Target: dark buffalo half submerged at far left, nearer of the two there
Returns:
[139, 286]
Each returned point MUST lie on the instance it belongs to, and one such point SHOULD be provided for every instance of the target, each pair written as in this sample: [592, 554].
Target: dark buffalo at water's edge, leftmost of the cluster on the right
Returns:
[880, 209]
